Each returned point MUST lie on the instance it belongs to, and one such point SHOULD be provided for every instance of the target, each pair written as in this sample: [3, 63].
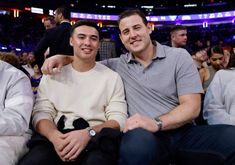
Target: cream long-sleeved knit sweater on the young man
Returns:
[96, 95]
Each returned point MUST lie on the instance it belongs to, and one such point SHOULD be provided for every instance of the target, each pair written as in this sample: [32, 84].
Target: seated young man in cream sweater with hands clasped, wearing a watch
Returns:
[74, 106]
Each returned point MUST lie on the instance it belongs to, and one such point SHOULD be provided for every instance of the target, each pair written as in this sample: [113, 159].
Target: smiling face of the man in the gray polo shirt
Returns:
[135, 35]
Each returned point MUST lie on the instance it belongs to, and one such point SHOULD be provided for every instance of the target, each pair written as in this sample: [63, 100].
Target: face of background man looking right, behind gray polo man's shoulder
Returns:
[179, 38]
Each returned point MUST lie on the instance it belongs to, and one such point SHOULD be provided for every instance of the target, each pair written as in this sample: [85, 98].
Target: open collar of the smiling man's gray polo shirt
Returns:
[160, 53]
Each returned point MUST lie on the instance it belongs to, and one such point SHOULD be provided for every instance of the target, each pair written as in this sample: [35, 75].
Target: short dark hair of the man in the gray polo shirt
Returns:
[130, 12]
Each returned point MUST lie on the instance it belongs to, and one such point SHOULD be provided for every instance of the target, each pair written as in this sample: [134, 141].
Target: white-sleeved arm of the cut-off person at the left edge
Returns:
[16, 111]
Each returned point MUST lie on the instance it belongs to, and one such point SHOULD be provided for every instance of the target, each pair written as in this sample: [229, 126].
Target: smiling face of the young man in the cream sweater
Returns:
[85, 42]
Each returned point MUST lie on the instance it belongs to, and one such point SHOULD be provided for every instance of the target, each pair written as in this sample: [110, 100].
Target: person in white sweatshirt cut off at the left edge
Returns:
[16, 102]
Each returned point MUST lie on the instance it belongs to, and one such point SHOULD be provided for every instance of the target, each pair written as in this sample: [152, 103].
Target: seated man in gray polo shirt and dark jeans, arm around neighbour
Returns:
[163, 90]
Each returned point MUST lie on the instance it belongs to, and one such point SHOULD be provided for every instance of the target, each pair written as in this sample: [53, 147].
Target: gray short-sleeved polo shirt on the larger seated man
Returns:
[154, 90]
